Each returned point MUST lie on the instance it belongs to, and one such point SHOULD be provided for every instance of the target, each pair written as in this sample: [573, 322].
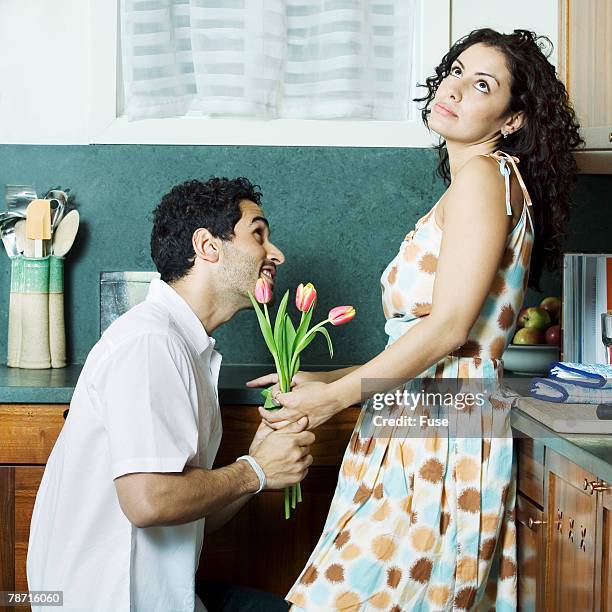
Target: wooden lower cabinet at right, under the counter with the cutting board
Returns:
[564, 533]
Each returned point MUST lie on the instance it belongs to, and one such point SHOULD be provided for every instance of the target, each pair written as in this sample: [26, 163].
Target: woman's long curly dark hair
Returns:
[544, 142]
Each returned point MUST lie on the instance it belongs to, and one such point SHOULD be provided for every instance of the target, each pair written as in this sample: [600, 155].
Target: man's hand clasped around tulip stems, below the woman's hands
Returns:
[284, 455]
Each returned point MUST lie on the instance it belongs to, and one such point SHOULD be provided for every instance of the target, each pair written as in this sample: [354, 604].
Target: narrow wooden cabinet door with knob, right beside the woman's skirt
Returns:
[531, 544]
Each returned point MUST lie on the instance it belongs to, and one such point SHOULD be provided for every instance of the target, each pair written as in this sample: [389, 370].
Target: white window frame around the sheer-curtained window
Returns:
[105, 127]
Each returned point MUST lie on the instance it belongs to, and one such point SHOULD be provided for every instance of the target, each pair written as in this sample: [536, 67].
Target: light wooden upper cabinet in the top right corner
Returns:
[585, 65]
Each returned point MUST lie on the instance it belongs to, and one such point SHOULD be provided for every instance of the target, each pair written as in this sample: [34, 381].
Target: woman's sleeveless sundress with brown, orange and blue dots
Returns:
[426, 522]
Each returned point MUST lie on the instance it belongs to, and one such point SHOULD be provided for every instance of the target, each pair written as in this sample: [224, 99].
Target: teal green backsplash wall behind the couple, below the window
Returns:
[339, 214]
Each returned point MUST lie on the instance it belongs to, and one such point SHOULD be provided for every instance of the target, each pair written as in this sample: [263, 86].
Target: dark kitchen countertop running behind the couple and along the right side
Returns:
[55, 386]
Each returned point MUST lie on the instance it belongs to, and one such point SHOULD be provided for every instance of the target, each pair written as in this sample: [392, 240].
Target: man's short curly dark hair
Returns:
[214, 205]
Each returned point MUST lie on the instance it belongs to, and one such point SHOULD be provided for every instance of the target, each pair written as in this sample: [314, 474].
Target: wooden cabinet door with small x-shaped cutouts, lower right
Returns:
[572, 524]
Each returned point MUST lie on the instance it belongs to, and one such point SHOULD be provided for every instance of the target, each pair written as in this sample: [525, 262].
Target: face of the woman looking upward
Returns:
[471, 102]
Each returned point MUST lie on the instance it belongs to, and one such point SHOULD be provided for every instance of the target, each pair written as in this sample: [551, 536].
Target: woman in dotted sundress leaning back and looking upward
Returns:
[426, 522]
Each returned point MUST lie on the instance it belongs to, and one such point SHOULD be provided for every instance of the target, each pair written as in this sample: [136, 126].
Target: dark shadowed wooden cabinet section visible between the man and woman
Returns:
[271, 555]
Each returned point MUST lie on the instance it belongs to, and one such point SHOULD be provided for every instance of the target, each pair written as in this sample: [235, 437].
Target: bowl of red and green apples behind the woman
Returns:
[537, 339]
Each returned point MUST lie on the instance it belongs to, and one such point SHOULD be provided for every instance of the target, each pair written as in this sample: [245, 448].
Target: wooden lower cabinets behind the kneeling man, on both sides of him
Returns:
[243, 552]
